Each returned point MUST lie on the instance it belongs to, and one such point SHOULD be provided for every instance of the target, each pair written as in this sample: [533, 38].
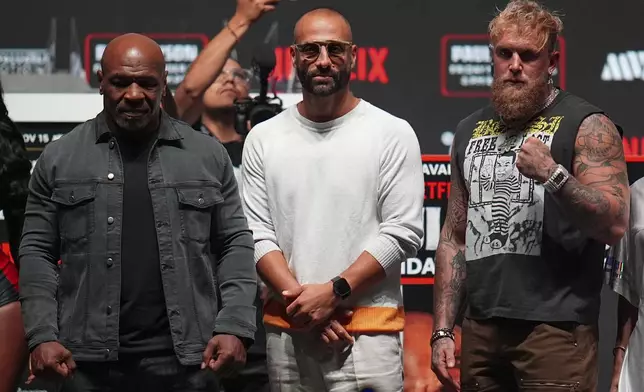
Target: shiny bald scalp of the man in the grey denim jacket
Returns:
[132, 48]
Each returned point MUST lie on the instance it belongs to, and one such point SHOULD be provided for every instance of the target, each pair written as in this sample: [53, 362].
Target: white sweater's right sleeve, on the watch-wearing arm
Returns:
[400, 199]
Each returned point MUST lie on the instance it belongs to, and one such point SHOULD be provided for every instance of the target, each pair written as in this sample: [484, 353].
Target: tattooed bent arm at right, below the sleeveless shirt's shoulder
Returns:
[597, 198]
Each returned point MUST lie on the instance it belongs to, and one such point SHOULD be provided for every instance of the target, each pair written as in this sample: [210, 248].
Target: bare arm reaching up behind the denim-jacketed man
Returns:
[205, 69]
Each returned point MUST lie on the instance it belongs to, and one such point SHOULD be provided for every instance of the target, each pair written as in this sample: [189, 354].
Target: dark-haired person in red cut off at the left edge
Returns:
[15, 170]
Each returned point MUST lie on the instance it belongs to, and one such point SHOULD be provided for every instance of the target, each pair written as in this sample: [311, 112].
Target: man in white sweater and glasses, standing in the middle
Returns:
[333, 191]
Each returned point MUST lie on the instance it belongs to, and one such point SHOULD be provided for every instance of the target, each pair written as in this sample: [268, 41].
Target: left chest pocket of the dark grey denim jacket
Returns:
[75, 210]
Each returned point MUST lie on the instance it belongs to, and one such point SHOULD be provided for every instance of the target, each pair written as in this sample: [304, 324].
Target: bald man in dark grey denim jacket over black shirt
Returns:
[145, 215]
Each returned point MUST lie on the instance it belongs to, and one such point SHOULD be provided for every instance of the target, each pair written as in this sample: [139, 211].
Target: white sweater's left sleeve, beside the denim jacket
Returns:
[255, 199]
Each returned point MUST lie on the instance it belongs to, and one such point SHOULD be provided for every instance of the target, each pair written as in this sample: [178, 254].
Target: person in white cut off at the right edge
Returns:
[625, 275]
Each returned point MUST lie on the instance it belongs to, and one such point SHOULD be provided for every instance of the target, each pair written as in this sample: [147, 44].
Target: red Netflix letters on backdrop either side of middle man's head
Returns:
[370, 67]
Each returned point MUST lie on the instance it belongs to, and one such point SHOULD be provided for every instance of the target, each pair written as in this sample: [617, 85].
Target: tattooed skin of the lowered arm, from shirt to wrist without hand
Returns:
[449, 289]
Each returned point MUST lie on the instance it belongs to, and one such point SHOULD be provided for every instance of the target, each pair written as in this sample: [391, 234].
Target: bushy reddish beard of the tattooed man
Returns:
[517, 104]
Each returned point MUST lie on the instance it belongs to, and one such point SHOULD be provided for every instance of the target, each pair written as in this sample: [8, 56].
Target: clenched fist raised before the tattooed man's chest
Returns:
[534, 160]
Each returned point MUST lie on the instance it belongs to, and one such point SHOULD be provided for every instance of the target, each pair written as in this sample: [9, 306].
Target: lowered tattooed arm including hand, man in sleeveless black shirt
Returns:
[449, 279]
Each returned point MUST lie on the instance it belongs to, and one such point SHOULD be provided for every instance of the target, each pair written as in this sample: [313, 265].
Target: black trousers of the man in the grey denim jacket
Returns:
[138, 374]
